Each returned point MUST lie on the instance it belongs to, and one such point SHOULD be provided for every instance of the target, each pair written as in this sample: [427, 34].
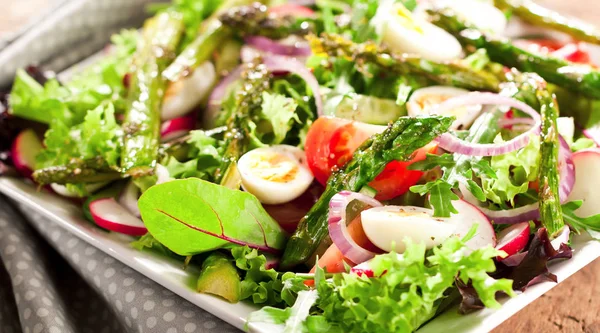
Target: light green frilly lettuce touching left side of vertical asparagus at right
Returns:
[513, 171]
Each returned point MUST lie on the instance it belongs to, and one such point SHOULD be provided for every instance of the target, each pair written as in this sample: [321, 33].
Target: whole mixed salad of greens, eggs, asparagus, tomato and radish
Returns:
[346, 165]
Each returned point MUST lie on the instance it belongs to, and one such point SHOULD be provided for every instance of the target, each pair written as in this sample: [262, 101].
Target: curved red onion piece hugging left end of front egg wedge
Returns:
[338, 230]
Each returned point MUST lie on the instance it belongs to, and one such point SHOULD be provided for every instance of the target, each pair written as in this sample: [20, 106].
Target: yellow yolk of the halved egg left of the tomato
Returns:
[274, 167]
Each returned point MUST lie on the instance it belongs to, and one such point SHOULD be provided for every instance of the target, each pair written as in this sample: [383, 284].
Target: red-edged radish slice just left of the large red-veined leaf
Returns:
[108, 214]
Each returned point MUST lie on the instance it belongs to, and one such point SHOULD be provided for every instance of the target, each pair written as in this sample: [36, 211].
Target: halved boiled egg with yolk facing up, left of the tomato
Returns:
[279, 182]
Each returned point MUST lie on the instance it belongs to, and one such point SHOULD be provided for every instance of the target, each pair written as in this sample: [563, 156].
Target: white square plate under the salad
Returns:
[169, 273]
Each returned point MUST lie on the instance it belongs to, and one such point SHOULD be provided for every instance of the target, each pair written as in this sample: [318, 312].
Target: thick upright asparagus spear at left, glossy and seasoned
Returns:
[142, 120]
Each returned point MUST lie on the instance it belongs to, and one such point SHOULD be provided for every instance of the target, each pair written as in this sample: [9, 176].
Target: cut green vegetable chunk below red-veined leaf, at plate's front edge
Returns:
[220, 277]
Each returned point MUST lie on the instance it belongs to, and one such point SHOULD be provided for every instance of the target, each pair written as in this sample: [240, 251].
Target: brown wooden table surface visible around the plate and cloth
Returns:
[572, 306]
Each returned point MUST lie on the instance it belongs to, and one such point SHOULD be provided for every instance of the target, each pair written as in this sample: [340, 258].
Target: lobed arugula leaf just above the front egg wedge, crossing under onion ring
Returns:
[458, 169]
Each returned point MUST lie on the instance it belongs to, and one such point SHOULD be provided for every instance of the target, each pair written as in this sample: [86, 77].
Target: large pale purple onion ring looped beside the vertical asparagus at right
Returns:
[453, 144]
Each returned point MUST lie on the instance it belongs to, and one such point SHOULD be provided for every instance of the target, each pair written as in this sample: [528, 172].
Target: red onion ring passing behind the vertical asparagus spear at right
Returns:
[531, 212]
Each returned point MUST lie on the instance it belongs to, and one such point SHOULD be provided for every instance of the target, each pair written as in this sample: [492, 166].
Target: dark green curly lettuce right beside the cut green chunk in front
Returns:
[265, 286]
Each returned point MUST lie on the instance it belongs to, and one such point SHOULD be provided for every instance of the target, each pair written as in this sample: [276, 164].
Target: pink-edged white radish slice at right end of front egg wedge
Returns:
[468, 216]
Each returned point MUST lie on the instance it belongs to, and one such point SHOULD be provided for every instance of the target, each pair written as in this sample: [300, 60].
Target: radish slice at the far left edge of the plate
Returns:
[24, 150]
